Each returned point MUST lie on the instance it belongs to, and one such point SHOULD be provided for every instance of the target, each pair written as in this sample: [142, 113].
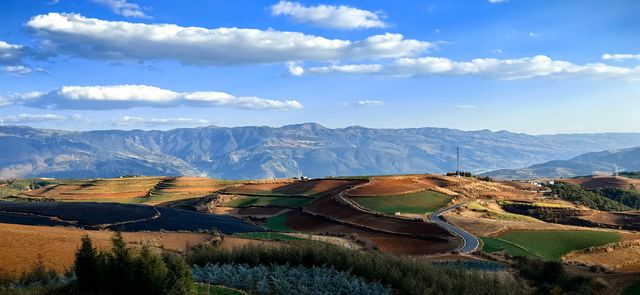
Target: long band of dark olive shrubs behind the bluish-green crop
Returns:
[404, 275]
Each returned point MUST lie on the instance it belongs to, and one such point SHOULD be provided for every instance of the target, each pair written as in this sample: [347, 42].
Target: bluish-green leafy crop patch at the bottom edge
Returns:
[285, 279]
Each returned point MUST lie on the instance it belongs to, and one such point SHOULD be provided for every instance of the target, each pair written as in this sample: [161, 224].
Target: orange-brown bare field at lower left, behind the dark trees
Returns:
[23, 245]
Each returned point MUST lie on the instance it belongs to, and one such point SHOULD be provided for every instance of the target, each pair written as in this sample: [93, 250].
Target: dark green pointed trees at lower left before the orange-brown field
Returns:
[125, 271]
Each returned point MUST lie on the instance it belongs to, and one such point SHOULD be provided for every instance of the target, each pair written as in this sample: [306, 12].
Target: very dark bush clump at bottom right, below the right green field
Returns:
[550, 277]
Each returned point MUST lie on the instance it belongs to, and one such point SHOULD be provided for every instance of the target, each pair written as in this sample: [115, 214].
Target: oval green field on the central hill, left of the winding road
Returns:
[416, 203]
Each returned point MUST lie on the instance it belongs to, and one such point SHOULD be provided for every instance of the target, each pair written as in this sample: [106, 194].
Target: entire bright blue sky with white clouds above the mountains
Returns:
[538, 67]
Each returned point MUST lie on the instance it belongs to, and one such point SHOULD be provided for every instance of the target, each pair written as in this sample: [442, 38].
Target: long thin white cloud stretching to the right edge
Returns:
[507, 69]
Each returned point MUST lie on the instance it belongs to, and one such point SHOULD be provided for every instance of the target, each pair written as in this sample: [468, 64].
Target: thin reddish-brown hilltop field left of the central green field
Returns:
[307, 188]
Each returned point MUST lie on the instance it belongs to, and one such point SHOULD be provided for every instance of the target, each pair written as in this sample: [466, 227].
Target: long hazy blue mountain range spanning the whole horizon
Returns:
[256, 152]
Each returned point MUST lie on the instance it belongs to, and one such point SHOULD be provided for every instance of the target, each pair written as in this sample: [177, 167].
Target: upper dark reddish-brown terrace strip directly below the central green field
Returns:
[328, 206]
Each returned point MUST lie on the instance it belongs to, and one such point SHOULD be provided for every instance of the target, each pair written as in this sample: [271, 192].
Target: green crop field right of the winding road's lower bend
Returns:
[547, 244]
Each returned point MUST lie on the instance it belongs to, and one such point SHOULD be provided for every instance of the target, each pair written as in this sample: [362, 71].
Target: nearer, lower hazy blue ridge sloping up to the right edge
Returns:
[586, 164]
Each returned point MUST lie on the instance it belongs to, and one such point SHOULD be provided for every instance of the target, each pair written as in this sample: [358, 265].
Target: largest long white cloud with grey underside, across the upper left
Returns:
[94, 38]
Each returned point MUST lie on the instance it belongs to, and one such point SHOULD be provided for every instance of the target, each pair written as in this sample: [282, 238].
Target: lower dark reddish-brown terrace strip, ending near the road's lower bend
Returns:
[387, 243]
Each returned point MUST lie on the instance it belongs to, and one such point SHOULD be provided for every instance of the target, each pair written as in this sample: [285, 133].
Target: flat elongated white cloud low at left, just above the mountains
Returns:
[129, 96]
